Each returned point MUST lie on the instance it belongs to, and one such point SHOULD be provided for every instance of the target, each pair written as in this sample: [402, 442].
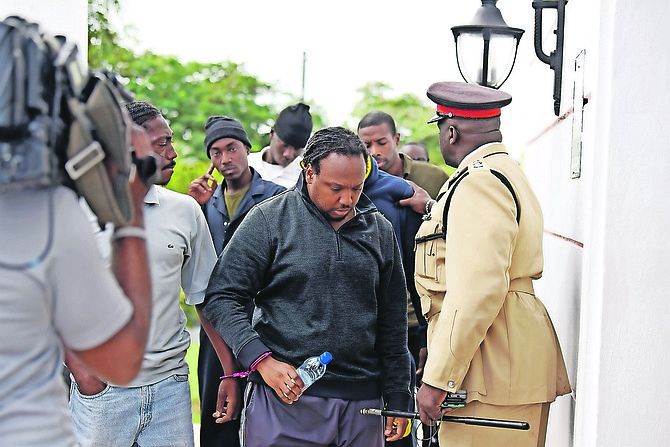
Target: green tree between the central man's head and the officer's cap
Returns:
[409, 112]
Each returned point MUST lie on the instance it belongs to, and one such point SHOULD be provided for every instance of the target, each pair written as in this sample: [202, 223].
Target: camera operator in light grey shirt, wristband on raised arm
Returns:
[55, 292]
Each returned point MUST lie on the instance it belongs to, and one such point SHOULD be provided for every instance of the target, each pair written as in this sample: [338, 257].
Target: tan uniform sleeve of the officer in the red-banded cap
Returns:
[481, 231]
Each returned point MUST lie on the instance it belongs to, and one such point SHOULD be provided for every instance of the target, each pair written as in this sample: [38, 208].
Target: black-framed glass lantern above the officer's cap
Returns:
[486, 48]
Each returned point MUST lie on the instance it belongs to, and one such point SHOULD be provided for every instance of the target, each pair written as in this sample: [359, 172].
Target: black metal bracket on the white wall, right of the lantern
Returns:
[555, 58]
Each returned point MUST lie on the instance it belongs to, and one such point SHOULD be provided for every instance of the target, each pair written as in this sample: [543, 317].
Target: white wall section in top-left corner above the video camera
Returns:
[67, 17]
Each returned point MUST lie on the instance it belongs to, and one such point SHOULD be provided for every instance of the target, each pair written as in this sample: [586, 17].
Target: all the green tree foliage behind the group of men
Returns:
[189, 92]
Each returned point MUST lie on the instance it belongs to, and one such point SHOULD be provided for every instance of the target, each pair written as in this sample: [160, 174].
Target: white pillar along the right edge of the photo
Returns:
[627, 265]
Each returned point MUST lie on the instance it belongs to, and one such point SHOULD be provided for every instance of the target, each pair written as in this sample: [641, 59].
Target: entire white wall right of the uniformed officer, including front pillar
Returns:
[606, 299]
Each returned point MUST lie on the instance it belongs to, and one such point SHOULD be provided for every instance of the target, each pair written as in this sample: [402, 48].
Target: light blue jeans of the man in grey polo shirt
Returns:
[148, 416]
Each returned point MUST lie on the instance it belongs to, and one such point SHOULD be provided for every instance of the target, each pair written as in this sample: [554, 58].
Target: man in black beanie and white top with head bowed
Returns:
[280, 161]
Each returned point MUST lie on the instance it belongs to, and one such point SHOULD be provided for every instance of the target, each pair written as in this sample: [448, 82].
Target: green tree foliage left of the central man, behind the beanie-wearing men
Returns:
[187, 93]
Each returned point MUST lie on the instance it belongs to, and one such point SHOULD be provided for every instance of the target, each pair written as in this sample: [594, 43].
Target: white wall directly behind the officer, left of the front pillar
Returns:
[542, 142]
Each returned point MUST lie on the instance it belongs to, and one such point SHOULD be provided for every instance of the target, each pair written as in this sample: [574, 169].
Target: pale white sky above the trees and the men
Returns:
[346, 44]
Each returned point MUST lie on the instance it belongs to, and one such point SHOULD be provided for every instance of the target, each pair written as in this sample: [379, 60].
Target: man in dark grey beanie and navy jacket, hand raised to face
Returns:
[224, 206]
